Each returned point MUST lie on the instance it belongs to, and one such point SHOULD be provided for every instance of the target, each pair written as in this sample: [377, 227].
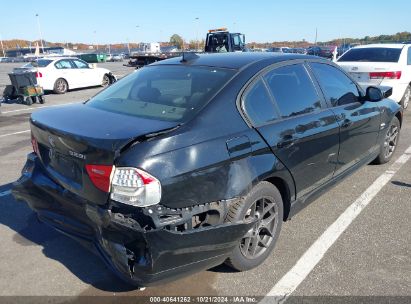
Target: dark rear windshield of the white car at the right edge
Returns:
[372, 55]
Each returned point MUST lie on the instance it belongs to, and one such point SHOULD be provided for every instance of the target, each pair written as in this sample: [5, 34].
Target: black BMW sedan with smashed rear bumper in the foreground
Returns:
[196, 161]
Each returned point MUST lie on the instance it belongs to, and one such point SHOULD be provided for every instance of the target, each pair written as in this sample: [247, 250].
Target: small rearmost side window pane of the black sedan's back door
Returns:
[258, 105]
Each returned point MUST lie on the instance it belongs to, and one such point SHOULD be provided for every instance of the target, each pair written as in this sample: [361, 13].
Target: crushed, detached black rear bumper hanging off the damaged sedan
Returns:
[139, 252]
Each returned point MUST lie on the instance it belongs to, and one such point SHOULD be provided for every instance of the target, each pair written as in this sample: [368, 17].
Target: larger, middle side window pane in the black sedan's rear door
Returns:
[293, 90]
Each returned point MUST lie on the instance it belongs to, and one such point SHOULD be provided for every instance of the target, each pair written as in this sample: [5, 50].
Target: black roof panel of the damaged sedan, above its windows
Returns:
[231, 60]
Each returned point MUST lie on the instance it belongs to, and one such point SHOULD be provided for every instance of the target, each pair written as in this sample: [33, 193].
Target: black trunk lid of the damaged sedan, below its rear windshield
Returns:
[71, 137]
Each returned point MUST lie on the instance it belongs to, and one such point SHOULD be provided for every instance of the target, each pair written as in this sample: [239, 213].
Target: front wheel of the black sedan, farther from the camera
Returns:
[389, 143]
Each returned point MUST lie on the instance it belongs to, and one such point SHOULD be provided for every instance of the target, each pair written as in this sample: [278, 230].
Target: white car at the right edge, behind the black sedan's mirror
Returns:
[381, 64]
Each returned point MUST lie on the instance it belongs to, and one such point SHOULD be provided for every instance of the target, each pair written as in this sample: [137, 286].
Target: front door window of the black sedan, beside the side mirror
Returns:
[337, 87]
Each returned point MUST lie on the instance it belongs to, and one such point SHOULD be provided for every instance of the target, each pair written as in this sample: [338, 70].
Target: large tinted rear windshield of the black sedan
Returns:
[165, 92]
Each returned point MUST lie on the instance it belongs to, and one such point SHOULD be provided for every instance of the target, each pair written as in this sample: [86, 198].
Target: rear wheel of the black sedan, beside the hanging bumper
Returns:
[263, 199]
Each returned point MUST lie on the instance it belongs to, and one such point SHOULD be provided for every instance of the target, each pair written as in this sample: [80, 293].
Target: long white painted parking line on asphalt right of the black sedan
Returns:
[296, 275]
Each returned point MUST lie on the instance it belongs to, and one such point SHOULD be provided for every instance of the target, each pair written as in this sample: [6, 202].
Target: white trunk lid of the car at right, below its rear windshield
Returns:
[360, 71]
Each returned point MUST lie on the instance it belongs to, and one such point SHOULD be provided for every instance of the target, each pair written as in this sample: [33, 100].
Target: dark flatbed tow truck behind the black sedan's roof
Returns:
[218, 40]
